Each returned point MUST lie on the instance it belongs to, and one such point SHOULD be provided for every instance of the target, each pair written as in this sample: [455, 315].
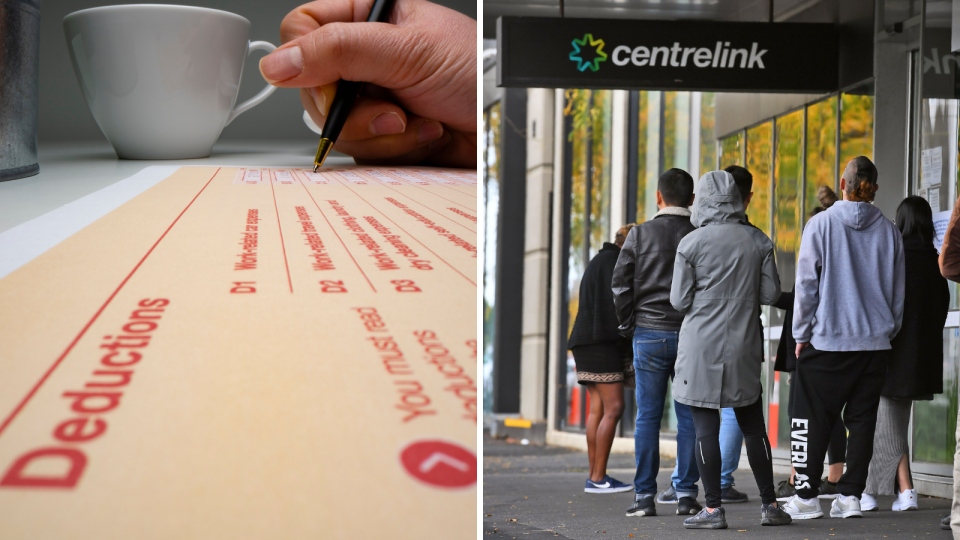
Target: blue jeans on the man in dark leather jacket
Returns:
[654, 357]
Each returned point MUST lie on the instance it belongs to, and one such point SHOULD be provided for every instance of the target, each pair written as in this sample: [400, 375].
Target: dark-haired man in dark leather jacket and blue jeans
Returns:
[641, 293]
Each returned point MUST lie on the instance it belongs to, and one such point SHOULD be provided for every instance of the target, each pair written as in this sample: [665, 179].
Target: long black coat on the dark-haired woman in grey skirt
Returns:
[915, 369]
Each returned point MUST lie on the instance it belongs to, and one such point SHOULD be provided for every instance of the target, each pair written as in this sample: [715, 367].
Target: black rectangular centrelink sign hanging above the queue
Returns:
[668, 55]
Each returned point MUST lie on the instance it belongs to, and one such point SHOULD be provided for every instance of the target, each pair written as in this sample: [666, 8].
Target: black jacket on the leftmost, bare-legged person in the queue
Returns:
[596, 320]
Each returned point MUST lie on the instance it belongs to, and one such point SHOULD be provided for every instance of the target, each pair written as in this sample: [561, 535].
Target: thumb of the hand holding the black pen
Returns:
[379, 53]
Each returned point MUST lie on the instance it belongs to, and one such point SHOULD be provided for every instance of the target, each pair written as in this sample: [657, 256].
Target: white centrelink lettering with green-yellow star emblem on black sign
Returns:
[721, 56]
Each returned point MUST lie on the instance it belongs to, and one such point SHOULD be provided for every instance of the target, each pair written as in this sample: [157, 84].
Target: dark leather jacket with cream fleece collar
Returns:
[644, 274]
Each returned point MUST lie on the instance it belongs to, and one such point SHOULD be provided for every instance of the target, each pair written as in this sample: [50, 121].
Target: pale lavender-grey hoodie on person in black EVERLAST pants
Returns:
[850, 280]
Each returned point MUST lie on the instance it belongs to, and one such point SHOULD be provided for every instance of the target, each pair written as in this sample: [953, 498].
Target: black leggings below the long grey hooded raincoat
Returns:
[750, 419]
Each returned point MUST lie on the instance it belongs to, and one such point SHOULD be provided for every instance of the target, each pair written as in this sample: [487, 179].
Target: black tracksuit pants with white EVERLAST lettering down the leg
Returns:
[826, 381]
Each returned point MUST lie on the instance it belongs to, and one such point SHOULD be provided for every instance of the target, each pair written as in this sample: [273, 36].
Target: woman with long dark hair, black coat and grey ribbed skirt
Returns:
[915, 368]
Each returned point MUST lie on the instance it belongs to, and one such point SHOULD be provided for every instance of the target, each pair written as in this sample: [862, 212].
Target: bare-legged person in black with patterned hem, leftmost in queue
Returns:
[602, 357]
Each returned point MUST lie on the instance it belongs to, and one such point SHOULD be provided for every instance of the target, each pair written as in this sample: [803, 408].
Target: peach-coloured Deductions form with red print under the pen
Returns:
[248, 353]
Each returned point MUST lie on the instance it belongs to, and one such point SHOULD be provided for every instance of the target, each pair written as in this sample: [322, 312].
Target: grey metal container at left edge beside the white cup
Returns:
[19, 87]
